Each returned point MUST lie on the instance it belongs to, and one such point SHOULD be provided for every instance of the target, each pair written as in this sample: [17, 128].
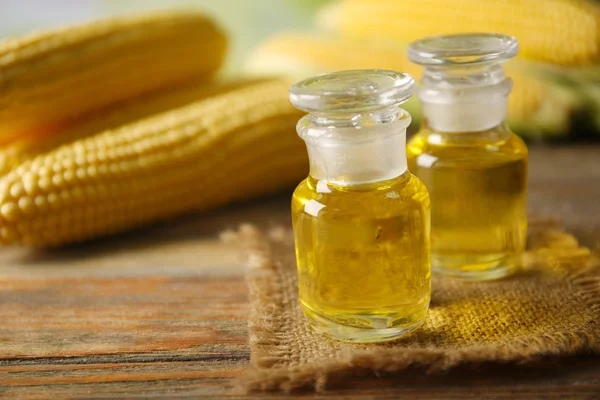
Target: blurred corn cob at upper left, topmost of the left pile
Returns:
[51, 78]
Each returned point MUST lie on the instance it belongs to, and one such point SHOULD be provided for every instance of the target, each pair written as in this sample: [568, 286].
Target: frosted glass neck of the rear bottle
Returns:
[467, 100]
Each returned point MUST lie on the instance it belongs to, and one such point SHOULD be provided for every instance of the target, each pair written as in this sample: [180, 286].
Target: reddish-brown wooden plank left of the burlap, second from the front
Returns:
[67, 317]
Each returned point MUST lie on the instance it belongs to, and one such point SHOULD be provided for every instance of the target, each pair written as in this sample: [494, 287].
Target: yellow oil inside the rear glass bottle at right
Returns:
[478, 187]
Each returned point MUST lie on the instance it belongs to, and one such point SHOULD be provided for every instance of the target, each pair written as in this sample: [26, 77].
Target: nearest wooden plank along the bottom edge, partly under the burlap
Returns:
[575, 378]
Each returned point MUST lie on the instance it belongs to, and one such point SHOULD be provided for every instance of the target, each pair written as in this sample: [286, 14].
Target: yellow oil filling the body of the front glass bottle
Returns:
[363, 257]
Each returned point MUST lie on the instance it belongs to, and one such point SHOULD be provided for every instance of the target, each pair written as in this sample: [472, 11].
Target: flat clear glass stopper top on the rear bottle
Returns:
[463, 50]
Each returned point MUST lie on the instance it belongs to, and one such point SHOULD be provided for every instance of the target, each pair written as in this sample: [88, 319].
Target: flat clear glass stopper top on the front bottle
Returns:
[352, 91]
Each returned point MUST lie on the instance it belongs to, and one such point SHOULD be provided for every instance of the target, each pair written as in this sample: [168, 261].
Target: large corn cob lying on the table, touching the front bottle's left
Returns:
[227, 147]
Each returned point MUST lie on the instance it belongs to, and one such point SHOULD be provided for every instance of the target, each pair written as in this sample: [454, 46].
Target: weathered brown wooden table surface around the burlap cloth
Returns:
[161, 311]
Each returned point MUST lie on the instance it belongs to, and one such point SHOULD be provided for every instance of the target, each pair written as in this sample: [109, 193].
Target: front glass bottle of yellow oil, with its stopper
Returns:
[361, 220]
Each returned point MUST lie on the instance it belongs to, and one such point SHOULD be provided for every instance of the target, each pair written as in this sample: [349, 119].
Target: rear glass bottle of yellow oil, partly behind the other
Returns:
[474, 168]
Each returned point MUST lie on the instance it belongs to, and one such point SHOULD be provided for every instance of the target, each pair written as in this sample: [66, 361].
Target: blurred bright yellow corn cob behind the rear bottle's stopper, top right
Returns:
[565, 32]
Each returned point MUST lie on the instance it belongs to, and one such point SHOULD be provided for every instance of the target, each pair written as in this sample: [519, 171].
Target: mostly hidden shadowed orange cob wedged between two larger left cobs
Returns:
[113, 117]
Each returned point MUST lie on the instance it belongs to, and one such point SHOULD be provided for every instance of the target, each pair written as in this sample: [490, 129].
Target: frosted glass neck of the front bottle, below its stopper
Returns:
[349, 153]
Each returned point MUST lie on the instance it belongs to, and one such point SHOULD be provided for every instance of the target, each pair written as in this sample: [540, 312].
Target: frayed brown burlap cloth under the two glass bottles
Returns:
[551, 308]
